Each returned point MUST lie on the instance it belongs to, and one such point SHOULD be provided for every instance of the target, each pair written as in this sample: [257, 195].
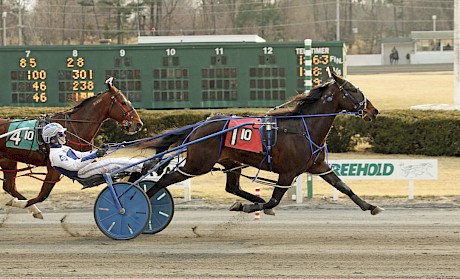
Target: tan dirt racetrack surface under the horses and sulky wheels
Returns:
[325, 241]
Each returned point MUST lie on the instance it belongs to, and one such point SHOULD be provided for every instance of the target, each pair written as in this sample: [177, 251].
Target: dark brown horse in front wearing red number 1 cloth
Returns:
[300, 146]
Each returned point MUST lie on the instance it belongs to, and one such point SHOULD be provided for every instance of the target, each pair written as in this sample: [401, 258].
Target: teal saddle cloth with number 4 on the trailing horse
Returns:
[22, 139]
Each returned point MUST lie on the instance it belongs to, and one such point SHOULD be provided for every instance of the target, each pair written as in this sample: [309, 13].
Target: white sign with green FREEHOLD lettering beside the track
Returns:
[396, 169]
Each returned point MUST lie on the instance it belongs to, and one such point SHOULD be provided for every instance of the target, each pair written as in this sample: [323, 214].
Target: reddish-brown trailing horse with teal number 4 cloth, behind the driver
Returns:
[82, 123]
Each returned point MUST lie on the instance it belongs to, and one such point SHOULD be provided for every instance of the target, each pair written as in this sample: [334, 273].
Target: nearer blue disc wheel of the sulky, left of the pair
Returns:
[131, 220]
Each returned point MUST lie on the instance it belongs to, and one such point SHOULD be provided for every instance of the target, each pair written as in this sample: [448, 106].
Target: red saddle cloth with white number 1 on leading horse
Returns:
[245, 137]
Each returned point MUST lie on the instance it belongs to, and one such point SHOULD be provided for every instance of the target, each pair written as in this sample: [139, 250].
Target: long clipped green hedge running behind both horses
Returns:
[432, 133]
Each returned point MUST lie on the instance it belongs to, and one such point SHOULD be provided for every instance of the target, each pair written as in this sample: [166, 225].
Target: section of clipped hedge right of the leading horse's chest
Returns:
[433, 133]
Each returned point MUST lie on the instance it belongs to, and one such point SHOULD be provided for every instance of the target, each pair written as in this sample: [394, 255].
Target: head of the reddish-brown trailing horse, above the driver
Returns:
[122, 110]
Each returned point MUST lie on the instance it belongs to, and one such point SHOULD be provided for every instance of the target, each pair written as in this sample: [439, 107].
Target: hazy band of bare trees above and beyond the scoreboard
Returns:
[83, 21]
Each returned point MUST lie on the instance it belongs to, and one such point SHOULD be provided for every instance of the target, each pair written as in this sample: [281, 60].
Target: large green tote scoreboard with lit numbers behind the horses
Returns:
[162, 76]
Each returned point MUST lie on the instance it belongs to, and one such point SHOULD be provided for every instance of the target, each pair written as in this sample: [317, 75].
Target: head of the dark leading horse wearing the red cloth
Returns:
[353, 99]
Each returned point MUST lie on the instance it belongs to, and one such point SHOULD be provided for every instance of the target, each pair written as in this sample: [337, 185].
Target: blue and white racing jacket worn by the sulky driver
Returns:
[68, 161]
